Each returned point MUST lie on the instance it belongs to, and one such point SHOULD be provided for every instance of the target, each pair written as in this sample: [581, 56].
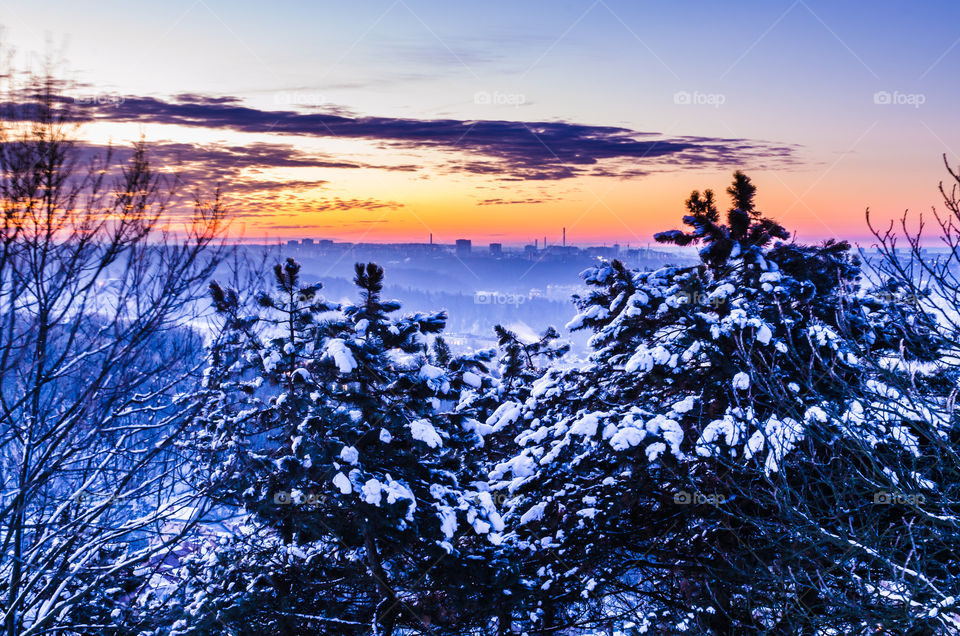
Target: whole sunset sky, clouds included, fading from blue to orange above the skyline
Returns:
[507, 121]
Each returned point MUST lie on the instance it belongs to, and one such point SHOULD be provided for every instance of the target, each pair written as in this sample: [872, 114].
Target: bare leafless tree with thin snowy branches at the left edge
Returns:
[101, 263]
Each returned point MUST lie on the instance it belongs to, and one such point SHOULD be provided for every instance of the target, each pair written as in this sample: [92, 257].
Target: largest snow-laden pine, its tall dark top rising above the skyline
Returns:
[716, 465]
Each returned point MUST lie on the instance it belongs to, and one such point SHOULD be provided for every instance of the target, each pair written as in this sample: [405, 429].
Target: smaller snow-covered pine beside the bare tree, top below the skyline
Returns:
[347, 438]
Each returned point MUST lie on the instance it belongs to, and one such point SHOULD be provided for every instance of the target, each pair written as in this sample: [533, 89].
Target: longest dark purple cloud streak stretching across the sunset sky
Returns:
[508, 149]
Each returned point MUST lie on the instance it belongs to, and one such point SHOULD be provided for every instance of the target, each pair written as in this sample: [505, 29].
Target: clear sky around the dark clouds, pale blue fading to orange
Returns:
[809, 75]
